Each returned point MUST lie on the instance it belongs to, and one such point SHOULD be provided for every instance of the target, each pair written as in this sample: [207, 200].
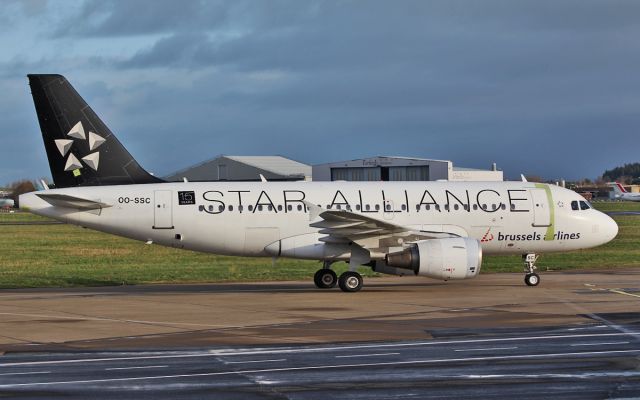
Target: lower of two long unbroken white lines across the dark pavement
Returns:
[325, 367]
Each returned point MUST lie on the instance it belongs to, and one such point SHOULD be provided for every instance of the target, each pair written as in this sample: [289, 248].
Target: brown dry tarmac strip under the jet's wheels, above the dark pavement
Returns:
[387, 309]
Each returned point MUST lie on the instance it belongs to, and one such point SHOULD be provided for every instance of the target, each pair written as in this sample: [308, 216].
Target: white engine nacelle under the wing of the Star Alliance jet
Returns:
[449, 258]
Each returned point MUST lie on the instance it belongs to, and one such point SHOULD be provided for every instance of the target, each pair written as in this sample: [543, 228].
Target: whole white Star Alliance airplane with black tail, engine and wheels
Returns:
[436, 229]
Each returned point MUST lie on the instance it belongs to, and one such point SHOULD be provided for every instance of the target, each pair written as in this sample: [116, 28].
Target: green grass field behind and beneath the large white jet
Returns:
[66, 255]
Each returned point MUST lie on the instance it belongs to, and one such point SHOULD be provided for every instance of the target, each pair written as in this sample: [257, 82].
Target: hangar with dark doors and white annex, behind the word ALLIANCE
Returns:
[401, 169]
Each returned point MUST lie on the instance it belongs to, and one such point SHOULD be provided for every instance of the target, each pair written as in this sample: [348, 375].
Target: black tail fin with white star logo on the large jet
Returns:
[82, 151]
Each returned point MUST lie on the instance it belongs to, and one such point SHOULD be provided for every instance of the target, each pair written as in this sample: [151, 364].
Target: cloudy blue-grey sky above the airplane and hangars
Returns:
[546, 88]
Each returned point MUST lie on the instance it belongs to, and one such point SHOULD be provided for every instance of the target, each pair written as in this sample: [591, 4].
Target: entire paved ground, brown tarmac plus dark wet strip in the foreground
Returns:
[576, 336]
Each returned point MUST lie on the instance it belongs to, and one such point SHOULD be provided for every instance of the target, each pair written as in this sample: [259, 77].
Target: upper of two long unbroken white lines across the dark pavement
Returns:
[224, 353]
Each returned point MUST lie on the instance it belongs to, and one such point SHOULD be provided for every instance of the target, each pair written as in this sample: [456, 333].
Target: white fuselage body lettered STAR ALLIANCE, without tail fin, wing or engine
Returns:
[244, 218]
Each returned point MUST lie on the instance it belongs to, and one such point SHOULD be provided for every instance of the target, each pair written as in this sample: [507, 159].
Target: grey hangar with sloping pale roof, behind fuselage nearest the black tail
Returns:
[244, 168]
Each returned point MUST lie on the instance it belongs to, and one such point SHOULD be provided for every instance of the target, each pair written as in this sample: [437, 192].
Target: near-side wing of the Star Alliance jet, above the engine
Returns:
[342, 226]
